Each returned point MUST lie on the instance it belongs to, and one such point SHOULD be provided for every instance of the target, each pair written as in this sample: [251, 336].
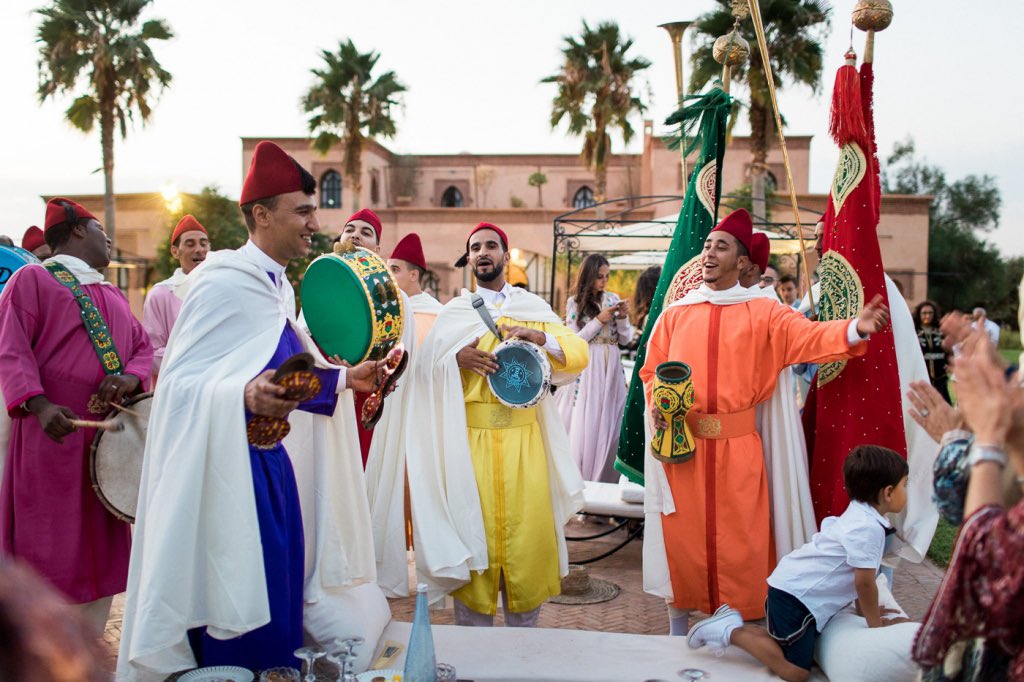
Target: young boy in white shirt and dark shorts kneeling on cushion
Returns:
[814, 583]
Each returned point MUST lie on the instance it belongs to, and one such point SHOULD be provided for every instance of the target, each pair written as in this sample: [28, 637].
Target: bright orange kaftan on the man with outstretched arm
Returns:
[718, 541]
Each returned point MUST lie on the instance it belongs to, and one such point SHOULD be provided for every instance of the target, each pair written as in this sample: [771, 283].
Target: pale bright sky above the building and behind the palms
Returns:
[474, 71]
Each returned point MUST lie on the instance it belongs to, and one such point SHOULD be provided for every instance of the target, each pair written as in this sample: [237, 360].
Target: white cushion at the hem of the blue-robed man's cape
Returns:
[357, 612]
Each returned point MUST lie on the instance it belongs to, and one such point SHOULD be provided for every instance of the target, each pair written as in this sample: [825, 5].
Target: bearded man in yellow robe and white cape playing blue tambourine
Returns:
[492, 488]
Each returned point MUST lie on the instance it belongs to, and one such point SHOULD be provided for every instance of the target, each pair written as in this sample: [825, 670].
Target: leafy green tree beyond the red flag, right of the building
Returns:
[964, 269]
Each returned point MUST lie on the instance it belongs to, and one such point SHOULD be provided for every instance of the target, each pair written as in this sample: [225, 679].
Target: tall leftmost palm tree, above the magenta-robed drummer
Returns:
[97, 52]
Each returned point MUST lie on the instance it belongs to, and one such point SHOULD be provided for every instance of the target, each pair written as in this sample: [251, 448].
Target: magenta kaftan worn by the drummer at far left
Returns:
[50, 516]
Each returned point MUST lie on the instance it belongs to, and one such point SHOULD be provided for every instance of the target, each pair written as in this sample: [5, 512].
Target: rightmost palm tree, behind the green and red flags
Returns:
[794, 32]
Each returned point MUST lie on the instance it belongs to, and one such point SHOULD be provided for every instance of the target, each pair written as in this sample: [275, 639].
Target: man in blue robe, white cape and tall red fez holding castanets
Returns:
[221, 573]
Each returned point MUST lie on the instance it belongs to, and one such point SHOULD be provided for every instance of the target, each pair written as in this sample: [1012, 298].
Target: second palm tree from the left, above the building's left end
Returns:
[349, 106]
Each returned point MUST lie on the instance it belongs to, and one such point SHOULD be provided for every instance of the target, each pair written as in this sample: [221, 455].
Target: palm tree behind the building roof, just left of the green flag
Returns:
[595, 94]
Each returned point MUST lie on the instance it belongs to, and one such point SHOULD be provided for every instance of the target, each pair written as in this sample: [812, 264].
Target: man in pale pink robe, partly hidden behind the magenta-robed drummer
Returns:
[190, 244]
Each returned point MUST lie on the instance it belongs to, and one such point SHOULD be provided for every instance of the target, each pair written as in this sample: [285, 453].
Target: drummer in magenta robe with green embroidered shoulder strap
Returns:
[50, 374]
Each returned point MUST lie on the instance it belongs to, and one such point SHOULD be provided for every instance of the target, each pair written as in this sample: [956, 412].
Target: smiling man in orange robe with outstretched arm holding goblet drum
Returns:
[711, 542]
